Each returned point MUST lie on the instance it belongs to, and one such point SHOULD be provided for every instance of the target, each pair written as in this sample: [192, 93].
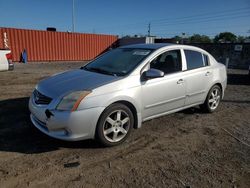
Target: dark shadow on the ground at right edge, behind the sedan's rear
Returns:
[238, 79]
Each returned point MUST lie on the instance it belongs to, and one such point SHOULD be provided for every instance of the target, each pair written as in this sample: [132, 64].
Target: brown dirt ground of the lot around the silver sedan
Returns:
[185, 149]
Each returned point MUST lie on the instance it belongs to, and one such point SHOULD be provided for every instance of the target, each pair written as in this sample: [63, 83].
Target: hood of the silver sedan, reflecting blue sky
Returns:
[75, 80]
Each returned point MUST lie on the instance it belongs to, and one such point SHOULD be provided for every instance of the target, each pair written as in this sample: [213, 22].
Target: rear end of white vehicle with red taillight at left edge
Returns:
[6, 60]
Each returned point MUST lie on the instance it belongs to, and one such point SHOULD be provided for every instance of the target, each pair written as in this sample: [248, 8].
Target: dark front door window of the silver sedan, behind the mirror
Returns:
[168, 62]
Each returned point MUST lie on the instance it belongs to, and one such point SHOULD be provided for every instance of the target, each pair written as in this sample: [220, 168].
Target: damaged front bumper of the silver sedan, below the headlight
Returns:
[65, 125]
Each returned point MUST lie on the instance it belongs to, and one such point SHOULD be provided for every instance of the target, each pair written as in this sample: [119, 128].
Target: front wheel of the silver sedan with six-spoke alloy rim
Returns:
[114, 125]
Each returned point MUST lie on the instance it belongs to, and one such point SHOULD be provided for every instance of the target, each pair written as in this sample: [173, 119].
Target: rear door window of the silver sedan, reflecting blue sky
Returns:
[194, 59]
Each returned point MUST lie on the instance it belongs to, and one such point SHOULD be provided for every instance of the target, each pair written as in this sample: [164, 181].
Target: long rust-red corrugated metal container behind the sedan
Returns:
[54, 46]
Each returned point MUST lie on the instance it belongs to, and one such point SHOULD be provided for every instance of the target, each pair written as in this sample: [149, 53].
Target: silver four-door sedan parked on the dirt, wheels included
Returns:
[124, 87]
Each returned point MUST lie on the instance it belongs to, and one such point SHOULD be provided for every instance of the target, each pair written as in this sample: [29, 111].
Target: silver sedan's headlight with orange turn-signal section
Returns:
[72, 100]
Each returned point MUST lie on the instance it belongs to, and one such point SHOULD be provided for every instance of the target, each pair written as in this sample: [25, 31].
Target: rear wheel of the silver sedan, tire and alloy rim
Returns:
[213, 99]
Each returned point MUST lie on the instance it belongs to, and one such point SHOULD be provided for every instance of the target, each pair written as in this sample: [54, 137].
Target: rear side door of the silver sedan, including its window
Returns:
[197, 76]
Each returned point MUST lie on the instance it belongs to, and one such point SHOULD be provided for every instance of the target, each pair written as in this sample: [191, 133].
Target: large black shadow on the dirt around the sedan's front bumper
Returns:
[17, 134]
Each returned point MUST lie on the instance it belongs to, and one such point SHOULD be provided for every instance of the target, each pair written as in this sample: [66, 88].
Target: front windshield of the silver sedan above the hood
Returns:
[118, 62]
